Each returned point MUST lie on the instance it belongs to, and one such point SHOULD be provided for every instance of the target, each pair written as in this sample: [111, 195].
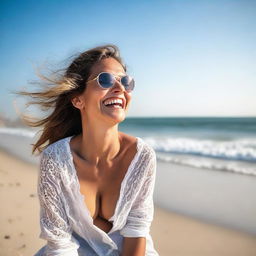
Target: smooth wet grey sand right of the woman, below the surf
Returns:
[219, 198]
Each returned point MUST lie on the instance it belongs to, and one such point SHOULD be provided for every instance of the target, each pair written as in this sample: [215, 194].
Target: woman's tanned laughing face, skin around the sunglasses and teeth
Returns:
[94, 96]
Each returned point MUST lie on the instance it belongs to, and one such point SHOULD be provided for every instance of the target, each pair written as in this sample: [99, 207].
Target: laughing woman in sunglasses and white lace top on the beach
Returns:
[95, 183]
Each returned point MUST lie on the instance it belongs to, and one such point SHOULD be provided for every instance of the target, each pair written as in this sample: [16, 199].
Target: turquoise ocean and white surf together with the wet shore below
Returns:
[206, 167]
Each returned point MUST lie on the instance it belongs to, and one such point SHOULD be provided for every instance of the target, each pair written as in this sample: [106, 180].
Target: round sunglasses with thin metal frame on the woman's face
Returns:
[107, 80]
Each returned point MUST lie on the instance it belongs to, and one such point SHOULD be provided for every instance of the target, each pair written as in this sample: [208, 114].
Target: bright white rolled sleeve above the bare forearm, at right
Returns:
[141, 214]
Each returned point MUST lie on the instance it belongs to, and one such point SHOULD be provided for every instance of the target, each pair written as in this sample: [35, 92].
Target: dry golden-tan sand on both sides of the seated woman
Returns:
[173, 234]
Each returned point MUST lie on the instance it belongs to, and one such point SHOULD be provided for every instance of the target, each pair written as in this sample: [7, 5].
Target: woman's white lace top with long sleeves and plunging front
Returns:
[65, 221]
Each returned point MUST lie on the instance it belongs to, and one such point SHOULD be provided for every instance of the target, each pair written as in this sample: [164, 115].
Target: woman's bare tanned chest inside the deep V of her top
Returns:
[101, 187]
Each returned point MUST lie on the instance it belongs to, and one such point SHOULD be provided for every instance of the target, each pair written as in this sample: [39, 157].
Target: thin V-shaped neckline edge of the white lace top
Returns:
[127, 174]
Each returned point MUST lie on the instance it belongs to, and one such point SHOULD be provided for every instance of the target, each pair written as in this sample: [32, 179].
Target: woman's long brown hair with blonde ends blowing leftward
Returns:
[56, 93]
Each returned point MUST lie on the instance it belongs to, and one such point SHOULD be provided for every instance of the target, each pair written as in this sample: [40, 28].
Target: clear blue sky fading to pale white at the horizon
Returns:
[188, 58]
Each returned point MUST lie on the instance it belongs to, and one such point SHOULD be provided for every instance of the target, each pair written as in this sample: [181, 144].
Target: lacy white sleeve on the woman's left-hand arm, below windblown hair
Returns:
[54, 223]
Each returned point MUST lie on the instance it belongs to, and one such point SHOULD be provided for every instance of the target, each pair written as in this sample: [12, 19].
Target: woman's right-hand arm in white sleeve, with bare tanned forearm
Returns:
[141, 214]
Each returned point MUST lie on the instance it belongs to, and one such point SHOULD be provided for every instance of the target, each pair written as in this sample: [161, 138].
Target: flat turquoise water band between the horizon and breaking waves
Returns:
[216, 128]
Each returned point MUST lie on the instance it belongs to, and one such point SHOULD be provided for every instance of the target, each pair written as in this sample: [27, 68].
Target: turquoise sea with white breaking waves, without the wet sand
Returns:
[223, 144]
